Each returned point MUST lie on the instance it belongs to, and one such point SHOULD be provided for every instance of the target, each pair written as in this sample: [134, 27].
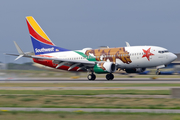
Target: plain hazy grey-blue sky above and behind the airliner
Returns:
[77, 24]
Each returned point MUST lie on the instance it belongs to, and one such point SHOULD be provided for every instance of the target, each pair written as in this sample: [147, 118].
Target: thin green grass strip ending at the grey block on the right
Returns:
[85, 92]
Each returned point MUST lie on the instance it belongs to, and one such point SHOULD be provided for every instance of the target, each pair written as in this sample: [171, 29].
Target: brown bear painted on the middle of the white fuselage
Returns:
[110, 54]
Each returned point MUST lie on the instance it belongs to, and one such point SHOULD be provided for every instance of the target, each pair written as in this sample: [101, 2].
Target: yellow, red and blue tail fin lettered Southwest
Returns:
[41, 42]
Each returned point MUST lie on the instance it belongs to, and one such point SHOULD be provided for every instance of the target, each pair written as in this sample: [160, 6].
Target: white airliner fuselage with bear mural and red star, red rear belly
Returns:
[123, 57]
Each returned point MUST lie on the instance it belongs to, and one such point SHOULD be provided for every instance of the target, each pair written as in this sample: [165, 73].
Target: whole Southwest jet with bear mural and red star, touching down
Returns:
[132, 59]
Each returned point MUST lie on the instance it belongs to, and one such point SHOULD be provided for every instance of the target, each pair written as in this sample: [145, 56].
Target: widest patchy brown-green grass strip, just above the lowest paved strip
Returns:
[55, 101]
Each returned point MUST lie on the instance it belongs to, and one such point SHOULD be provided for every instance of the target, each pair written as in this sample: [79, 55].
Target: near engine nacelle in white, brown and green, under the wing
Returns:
[105, 67]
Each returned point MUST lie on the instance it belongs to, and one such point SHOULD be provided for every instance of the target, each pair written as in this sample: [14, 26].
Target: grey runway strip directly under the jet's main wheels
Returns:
[84, 80]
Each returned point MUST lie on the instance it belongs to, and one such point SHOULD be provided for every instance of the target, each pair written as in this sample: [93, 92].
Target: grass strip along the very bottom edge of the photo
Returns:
[15, 115]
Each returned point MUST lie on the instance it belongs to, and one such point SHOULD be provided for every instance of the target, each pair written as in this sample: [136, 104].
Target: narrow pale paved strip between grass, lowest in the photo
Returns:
[91, 110]
